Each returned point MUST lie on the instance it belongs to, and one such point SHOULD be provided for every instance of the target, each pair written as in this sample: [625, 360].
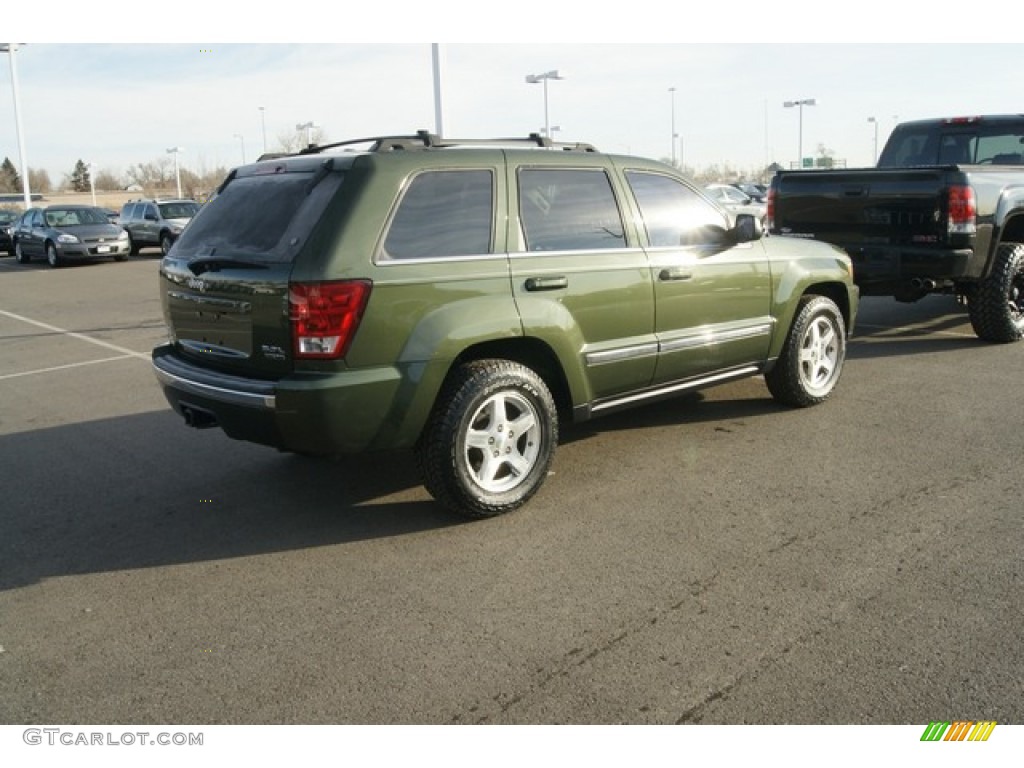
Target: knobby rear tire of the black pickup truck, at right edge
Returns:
[997, 306]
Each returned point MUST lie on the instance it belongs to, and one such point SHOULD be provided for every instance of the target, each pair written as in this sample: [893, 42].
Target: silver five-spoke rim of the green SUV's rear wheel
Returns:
[503, 443]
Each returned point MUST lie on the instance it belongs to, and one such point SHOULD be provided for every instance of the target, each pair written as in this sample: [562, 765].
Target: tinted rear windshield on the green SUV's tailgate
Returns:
[261, 218]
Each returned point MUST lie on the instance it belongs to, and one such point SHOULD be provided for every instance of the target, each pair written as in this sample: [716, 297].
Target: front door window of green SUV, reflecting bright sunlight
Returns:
[673, 214]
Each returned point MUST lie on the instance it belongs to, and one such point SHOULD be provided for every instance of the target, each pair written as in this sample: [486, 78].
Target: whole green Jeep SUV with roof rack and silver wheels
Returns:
[460, 298]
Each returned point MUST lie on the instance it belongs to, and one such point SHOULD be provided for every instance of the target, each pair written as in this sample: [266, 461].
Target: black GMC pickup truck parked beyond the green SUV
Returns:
[944, 212]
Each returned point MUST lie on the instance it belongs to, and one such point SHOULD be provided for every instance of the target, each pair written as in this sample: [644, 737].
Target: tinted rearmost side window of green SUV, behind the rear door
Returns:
[443, 214]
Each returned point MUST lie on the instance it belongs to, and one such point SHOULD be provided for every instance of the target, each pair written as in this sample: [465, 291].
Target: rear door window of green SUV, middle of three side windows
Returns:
[569, 210]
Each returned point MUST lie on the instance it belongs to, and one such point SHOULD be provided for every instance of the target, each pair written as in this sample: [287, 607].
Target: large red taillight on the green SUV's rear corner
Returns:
[325, 317]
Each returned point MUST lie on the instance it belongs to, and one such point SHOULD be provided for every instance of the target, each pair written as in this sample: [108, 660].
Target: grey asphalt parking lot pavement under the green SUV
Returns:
[717, 560]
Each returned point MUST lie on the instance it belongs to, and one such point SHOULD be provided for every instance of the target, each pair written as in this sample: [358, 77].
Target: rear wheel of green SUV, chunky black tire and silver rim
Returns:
[489, 444]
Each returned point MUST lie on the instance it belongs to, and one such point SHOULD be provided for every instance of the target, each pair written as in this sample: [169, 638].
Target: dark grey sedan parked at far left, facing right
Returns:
[67, 233]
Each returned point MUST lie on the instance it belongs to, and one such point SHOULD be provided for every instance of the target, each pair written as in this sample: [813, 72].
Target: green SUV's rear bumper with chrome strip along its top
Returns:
[330, 413]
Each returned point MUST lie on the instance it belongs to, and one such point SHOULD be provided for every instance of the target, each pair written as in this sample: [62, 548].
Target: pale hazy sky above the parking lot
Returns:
[116, 105]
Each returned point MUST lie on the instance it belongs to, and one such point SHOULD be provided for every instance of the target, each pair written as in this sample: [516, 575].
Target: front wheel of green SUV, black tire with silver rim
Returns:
[808, 370]
